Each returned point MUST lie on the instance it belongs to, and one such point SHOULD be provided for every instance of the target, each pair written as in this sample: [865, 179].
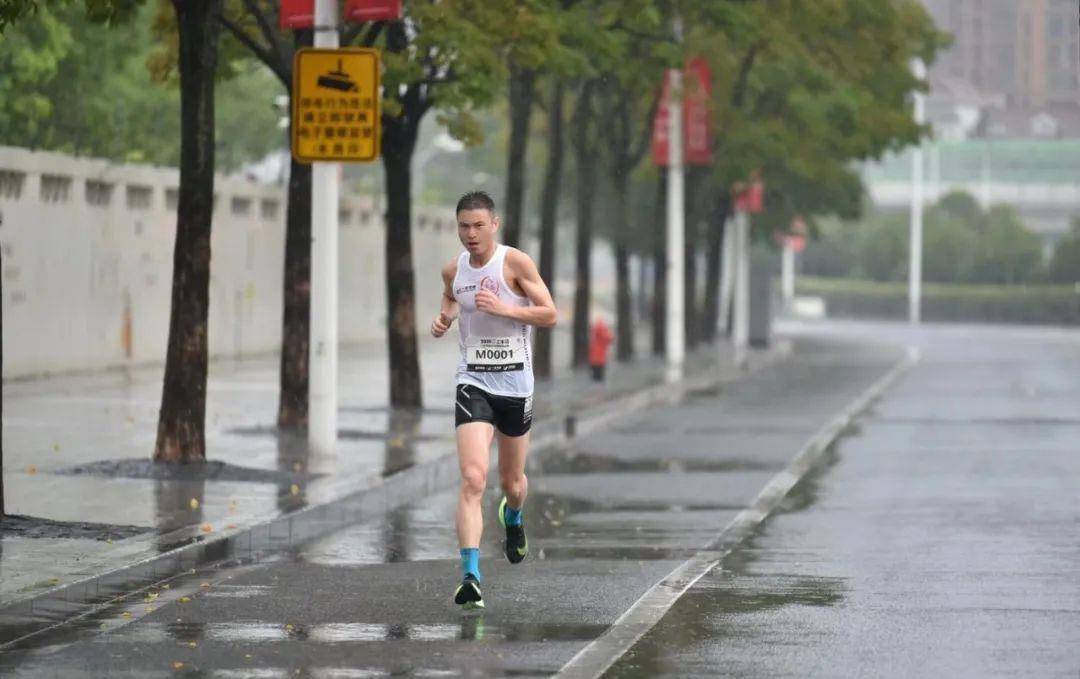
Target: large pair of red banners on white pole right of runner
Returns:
[697, 127]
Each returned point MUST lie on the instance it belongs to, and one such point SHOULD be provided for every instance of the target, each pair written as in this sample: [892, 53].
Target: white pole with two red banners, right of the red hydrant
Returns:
[676, 339]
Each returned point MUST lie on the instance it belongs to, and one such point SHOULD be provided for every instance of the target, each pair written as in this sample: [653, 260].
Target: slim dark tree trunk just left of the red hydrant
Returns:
[586, 195]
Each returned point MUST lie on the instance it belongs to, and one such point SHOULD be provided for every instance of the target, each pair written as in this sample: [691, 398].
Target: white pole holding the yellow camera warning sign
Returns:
[322, 388]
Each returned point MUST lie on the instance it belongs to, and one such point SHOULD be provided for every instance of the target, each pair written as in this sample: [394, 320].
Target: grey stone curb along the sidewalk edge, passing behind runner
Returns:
[38, 613]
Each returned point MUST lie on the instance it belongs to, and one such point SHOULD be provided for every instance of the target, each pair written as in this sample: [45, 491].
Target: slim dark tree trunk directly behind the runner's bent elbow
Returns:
[549, 221]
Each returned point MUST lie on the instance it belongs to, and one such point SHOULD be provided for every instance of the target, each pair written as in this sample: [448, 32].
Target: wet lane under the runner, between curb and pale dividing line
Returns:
[607, 518]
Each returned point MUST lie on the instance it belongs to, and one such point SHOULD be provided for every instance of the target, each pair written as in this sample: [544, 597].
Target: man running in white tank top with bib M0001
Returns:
[501, 295]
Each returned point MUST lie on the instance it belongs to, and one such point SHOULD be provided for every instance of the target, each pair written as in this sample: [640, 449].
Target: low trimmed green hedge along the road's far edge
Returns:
[1043, 305]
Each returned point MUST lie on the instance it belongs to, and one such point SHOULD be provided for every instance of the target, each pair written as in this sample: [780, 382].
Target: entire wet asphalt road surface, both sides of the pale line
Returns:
[940, 539]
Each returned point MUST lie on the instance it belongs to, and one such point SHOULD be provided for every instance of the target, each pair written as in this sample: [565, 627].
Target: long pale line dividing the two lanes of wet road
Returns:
[600, 655]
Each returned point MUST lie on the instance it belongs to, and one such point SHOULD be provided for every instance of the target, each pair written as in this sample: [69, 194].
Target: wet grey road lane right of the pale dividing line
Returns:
[943, 539]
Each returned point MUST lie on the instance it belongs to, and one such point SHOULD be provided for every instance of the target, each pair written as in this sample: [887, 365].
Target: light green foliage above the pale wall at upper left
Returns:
[84, 88]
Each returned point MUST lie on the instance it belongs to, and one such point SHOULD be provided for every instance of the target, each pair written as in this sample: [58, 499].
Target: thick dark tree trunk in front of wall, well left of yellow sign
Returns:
[183, 417]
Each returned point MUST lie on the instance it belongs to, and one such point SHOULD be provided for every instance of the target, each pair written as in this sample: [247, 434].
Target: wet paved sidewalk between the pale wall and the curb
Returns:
[90, 423]
